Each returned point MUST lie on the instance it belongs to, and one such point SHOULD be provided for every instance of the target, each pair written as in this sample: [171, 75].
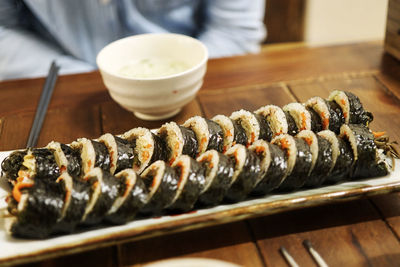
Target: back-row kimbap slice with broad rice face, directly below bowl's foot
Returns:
[147, 148]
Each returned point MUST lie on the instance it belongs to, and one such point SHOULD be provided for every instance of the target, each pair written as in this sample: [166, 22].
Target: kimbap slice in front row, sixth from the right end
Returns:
[247, 172]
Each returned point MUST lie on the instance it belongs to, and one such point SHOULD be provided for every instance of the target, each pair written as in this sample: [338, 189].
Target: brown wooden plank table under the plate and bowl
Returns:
[361, 232]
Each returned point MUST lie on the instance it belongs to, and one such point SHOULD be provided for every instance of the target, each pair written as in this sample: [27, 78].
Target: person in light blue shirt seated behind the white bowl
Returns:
[33, 33]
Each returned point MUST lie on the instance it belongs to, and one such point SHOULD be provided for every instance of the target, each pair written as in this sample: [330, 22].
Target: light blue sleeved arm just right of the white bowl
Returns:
[233, 27]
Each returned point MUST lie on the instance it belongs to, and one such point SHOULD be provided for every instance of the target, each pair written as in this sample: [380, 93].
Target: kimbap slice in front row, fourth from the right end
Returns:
[299, 161]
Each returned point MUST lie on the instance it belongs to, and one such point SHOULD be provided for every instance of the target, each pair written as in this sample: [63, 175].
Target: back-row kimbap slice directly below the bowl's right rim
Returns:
[209, 134]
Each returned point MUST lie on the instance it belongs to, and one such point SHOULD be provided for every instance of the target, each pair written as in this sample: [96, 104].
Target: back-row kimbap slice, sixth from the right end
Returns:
[233, 132]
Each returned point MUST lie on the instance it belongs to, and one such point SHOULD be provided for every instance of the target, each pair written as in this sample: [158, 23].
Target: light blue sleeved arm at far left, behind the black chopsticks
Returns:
[24, 54]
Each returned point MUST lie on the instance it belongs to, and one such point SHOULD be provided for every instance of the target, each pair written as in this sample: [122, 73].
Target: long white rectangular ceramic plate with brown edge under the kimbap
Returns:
[20, 250]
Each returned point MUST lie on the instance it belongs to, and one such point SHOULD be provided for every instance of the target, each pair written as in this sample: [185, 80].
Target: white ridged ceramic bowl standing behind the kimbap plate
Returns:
[160, 97]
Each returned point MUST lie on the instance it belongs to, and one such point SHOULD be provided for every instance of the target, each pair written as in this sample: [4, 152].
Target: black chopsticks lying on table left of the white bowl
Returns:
[44, 100]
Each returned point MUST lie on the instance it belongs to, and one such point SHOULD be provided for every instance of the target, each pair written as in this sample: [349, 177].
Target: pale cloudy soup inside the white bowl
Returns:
[153, 68]
